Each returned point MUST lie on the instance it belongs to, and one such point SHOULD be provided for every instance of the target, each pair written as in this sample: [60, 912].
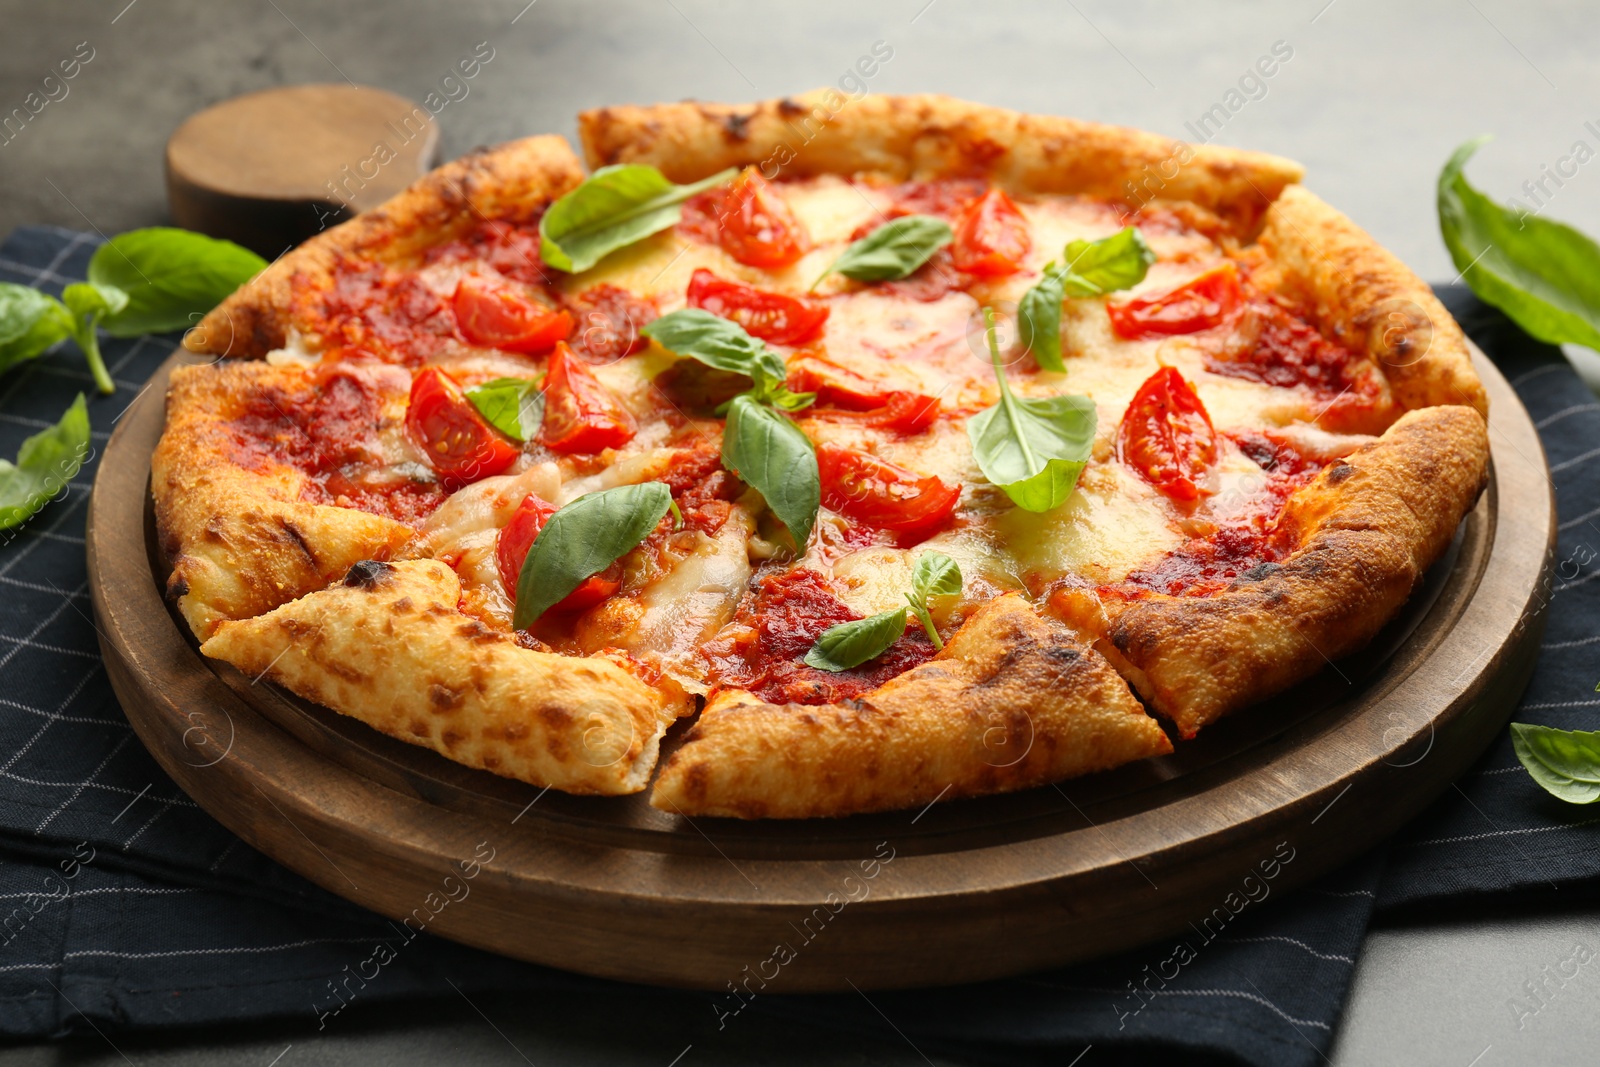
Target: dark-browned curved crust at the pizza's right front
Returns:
[1364, 532]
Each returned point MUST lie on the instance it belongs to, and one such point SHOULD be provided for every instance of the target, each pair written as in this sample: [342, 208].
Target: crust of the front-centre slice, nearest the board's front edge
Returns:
[1014, 701]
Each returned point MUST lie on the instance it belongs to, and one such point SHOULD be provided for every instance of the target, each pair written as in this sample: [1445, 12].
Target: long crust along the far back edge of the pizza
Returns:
[902, 138]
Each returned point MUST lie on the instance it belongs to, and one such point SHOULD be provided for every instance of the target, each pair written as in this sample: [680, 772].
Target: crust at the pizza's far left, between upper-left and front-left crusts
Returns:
[241, 540]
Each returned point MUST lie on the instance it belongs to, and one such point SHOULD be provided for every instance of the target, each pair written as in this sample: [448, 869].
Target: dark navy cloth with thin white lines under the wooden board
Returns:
[130, 908]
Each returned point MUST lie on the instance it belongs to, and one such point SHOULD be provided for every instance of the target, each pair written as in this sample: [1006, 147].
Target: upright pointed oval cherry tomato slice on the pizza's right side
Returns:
[1167, 436]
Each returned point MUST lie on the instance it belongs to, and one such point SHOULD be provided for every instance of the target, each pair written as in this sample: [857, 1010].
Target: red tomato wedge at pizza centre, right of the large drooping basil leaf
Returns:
[884, 495]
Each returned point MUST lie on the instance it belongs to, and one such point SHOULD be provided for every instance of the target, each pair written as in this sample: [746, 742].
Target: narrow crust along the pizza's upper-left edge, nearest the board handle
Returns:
[511, 182]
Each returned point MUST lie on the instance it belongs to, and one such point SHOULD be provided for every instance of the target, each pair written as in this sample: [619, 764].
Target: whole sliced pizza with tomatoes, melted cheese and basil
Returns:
[886, 455]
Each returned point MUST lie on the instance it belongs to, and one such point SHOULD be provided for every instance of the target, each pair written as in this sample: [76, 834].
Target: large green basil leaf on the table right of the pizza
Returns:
[1543, 274]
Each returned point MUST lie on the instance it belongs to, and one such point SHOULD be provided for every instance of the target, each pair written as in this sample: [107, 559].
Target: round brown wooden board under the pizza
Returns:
[954, 893]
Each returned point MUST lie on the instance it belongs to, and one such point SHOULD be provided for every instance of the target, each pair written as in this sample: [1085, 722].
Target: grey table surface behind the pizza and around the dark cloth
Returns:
[1374, 100]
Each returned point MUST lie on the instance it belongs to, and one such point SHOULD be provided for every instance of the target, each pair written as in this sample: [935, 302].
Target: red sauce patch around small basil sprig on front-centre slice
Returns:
[782, 621]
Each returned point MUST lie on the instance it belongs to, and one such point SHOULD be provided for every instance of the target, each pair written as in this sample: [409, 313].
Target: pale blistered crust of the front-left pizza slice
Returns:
[391, 649]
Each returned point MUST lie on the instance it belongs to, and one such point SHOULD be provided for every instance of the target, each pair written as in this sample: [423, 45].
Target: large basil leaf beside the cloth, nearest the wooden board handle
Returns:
[170, 276]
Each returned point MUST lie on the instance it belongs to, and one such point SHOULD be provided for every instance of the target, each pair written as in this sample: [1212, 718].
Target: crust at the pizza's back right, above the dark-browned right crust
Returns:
[1367, 300]
